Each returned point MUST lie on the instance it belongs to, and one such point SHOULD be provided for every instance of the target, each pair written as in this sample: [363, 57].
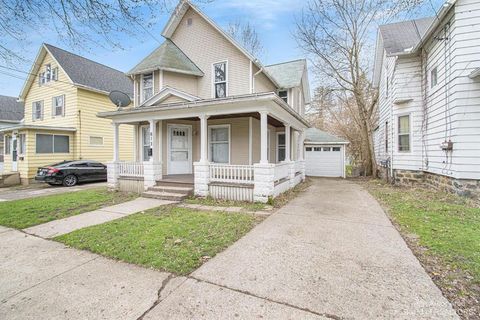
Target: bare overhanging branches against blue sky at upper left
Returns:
[80, 23]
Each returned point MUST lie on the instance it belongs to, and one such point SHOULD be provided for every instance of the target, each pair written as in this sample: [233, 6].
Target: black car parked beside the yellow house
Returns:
[69, 173]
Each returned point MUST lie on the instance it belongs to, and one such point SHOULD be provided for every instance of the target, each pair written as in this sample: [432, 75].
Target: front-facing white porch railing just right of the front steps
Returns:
[227, 173]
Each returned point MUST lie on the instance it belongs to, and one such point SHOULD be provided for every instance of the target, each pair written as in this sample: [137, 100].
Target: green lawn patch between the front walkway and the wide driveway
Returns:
[167, 238]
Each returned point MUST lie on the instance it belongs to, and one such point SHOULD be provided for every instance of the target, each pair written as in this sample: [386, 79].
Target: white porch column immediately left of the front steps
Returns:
[152, 169]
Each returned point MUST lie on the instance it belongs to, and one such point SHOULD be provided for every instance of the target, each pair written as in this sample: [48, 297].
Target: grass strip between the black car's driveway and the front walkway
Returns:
[25, 213]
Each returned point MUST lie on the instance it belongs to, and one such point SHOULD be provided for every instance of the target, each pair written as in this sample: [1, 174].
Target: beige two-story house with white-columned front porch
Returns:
[209, 115]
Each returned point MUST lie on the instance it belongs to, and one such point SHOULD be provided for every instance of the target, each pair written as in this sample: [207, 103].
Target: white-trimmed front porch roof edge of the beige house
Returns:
[244, 104]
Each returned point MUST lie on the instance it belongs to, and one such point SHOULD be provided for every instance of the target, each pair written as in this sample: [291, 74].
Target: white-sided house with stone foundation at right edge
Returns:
[428, 74]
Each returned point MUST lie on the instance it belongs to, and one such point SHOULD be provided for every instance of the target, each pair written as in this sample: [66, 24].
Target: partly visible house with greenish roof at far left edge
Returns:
[11, 114]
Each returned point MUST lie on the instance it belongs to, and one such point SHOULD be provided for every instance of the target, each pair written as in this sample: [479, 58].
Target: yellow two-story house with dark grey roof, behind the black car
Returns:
[62, 97]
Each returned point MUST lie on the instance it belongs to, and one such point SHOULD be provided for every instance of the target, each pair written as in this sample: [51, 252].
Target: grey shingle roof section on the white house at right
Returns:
[401, 36]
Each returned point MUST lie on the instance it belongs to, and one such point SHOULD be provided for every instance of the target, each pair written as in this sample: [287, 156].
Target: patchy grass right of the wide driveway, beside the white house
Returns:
[447, 225]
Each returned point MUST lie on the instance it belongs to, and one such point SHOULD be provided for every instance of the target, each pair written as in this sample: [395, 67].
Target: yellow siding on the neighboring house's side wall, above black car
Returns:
[89, 104]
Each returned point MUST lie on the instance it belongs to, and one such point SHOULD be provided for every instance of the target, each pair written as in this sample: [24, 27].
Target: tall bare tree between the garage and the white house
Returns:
[337, 35]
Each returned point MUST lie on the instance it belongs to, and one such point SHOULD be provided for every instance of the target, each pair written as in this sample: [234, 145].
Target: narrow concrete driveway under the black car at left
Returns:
[42, 189]
